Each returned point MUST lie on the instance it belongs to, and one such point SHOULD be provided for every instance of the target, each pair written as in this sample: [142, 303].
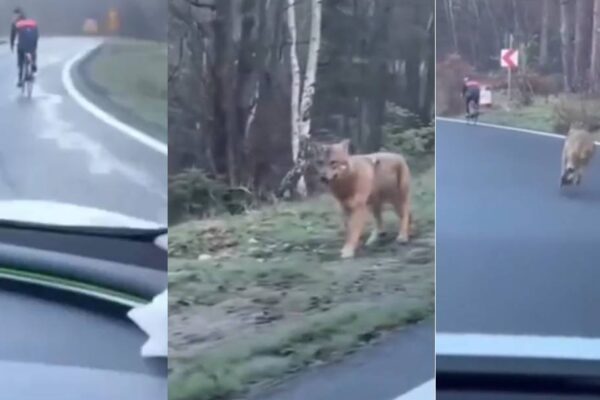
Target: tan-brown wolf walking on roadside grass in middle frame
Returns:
[363, 183]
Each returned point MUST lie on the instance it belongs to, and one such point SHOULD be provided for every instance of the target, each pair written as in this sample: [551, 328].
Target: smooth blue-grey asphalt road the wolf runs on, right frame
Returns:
[515, 256]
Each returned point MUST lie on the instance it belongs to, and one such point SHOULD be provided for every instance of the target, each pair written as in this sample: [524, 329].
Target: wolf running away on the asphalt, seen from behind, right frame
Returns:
[578, 151]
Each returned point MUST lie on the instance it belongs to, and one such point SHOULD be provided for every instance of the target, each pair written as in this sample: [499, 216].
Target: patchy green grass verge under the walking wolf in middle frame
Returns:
[257, 297]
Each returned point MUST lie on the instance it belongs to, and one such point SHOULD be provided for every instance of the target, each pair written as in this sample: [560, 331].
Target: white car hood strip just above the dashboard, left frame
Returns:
[64, 214]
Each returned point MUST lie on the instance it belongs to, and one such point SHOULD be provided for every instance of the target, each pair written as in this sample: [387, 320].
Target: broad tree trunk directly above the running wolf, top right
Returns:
[583, 42]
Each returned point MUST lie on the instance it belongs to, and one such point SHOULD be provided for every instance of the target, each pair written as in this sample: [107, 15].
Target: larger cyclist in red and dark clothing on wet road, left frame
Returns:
[25, 31]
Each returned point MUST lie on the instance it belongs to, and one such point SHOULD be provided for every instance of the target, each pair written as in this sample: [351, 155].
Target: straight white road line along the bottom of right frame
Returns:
[525, 346]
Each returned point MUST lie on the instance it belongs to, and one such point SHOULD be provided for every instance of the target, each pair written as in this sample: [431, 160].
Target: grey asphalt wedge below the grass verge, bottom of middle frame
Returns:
[399, 364]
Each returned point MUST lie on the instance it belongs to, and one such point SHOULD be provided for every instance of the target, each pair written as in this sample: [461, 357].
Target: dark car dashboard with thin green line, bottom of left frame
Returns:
[65, 295]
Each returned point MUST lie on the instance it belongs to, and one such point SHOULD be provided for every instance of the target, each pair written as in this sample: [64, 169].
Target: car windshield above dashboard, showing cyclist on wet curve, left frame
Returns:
[83, 113]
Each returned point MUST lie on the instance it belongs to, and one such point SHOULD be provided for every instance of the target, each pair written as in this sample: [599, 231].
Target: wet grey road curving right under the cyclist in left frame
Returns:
[53, 149]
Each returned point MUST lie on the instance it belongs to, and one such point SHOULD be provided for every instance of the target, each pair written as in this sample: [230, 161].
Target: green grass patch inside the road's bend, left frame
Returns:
[133, 74]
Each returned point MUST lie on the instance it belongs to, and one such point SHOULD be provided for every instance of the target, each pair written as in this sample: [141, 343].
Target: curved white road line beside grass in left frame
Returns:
[102, 115]
